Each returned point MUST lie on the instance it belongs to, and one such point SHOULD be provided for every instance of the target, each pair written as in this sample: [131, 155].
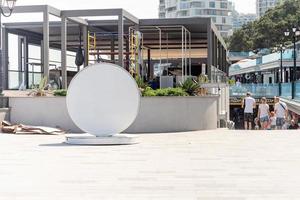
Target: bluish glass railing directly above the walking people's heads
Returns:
[257, 90]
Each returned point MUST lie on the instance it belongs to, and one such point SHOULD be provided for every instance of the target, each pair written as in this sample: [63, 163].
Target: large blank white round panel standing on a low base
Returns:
[103, 99]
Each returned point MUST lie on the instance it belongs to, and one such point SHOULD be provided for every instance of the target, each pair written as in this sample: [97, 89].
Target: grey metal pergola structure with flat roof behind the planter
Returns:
[191, 42]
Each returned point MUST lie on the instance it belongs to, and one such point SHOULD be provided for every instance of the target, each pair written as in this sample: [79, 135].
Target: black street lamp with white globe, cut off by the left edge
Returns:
[10, 4]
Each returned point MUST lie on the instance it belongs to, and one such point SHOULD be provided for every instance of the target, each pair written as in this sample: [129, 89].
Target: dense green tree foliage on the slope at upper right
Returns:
[267, 31]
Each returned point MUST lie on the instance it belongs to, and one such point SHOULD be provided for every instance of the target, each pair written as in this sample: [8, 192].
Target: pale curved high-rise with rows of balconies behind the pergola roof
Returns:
[220, 11]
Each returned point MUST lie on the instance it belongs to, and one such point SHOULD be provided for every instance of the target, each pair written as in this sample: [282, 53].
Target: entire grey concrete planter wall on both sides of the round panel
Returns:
[157, 114]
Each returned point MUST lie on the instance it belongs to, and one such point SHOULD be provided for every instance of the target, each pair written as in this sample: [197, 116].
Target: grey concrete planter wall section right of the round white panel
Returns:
[175, 114]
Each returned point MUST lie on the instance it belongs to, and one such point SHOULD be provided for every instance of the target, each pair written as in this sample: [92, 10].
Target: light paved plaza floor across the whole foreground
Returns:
[231, 165]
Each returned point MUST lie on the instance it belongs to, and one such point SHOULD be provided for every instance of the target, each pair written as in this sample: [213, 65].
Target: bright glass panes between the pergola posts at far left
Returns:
[28, 73]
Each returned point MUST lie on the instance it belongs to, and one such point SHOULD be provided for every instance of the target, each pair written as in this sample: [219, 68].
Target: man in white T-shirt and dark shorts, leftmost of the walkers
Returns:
[248, 104]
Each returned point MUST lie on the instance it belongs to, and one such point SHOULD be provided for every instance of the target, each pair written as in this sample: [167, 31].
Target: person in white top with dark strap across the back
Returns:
[281, 112]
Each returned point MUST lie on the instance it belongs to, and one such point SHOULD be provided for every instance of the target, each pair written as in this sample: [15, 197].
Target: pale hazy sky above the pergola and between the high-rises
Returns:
[140, 8]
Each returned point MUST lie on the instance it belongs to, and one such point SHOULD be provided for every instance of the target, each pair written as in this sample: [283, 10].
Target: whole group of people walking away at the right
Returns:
[266, 119]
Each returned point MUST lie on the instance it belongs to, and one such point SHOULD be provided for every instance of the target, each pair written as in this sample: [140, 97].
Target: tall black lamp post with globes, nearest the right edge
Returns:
[296, 32]
